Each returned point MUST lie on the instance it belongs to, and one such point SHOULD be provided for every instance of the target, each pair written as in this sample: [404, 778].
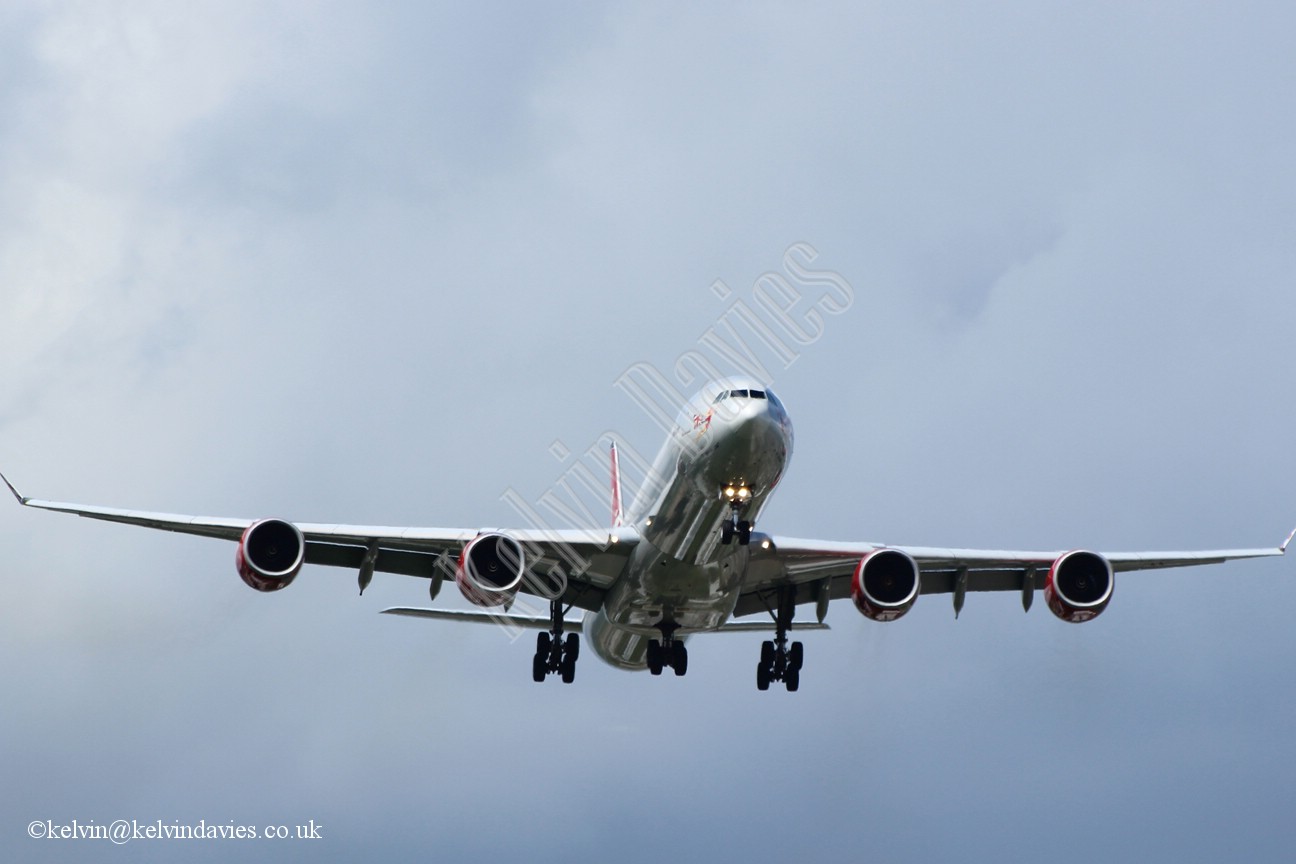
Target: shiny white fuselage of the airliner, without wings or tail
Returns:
[681, 576]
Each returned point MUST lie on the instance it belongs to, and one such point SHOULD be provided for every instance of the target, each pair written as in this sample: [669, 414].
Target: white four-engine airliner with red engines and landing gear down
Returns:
[685, 559]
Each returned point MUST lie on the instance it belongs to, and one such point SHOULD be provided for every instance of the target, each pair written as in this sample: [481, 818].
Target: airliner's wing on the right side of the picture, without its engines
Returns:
[824, 569]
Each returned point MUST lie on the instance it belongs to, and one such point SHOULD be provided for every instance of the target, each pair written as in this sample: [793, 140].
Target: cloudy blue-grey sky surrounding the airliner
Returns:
[386, 264]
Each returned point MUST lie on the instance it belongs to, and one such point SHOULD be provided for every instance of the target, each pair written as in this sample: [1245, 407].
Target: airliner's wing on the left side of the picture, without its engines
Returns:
[589, 560]
